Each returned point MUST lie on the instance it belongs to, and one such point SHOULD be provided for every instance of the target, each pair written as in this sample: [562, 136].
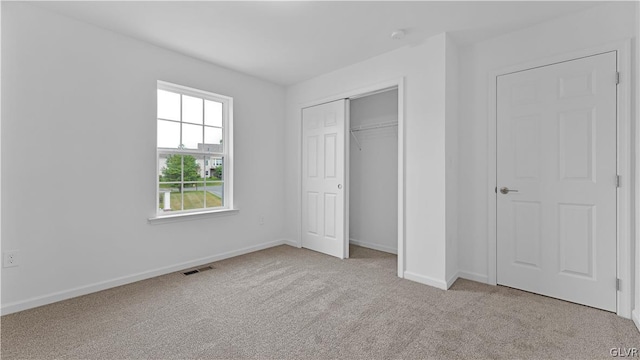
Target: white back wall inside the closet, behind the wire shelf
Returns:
[373, 183]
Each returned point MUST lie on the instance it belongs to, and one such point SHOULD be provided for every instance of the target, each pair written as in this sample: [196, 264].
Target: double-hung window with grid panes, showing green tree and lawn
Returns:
[194, 130]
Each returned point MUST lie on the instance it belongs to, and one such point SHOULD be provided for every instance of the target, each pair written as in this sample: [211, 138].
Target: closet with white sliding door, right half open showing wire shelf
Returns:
[352, 174]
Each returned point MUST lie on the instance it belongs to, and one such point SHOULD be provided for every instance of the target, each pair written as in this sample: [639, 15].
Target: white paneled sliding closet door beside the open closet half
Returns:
[323, 173]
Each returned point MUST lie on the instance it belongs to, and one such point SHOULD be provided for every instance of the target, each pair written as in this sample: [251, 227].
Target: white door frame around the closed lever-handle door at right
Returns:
[624, 155]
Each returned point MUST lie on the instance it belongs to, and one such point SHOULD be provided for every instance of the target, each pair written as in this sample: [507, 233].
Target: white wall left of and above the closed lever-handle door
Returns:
[592, 27]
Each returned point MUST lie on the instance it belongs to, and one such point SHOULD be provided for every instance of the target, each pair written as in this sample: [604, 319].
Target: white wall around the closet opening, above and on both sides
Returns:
[423, 68]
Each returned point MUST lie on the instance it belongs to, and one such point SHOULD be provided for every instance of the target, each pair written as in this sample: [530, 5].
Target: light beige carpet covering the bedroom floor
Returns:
[287, 303]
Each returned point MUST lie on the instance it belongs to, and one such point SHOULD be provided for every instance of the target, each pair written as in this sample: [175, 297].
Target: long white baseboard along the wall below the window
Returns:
[107, 284]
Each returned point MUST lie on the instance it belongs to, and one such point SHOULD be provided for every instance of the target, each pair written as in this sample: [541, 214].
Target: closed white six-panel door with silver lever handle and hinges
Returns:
[556, 146]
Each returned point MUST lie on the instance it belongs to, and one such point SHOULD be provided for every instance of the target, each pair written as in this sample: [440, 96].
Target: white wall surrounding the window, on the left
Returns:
[84, 99]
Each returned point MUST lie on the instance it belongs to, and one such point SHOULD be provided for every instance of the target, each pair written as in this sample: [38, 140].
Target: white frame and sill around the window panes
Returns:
[227, 152]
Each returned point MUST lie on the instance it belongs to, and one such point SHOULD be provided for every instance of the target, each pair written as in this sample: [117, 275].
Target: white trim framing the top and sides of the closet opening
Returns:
[365, 90]
